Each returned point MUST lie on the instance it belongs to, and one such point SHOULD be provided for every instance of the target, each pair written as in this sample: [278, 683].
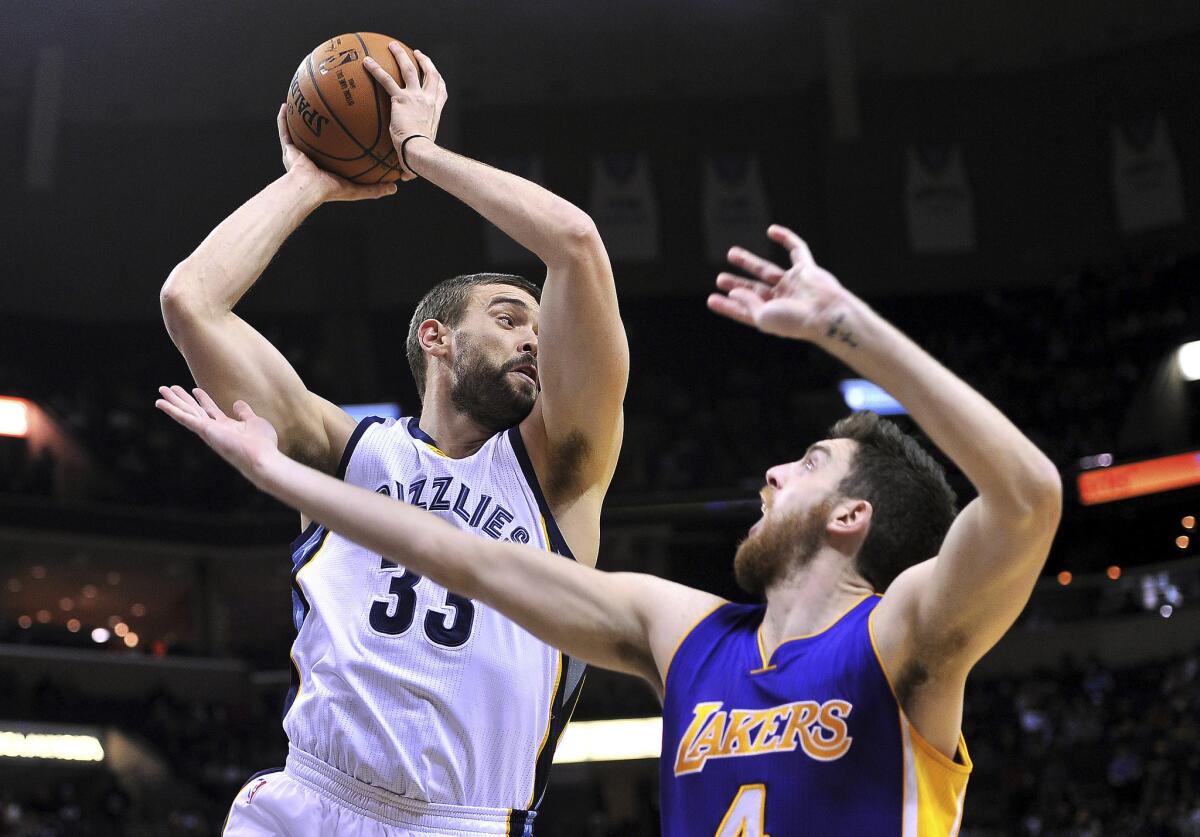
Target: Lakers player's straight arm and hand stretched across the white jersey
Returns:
[623, 622]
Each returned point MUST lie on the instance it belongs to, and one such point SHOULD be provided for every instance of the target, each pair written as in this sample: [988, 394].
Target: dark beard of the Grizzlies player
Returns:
[485, 392]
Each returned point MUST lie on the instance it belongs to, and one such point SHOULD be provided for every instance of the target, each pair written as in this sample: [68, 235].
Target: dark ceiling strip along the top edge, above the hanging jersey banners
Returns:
[173, 61]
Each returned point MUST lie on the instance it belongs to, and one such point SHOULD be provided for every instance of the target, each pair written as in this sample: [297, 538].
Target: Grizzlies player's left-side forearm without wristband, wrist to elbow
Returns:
[235, 255]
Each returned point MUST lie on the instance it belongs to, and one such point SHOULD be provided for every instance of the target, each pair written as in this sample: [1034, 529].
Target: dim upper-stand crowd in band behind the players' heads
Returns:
[710, 405]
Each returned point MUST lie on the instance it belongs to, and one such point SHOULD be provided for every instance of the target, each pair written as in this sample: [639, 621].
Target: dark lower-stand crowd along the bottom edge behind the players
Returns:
[1081, 751]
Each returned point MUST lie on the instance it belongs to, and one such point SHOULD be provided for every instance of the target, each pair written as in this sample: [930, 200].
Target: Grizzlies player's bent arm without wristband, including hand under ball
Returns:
[226, 356]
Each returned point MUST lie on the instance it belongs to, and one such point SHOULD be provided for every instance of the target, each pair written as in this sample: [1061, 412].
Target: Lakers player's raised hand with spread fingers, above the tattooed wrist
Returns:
[803, 303]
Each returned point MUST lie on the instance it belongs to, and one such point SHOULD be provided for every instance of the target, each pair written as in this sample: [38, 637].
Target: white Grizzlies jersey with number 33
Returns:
[407, 687]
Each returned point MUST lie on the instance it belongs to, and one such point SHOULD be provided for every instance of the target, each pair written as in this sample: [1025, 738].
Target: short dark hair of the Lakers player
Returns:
[913, 507]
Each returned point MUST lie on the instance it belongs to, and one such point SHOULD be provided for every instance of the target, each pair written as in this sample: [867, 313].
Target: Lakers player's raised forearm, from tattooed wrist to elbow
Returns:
[1003, 465]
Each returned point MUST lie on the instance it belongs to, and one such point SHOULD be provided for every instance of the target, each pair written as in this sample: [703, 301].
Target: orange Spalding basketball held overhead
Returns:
[339, 116]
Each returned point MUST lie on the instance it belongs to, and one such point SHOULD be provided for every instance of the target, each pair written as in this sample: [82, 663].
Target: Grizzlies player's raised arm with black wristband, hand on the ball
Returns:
[574, 432]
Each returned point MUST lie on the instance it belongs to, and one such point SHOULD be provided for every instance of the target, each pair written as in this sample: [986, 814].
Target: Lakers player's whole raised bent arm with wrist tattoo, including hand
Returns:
[943, 616]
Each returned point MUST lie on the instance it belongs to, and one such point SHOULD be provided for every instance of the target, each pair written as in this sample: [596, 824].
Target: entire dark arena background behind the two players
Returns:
[1016, 184]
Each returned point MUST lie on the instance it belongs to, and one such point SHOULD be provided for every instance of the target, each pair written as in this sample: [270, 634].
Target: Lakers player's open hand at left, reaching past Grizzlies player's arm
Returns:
[245, 442]
